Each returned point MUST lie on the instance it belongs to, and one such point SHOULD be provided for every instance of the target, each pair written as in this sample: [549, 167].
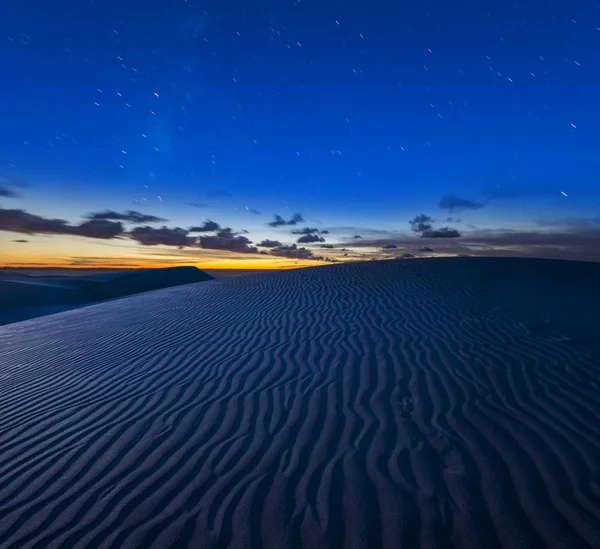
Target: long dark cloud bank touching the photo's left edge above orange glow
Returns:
[20, 221]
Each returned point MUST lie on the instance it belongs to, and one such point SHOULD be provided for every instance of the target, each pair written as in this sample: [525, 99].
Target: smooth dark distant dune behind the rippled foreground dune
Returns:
[23, 297]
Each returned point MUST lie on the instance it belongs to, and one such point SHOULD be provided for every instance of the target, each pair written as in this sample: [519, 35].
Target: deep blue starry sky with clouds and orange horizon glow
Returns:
[269, 134]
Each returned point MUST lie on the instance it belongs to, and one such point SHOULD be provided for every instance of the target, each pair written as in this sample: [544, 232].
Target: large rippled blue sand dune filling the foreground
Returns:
[449, 403]
